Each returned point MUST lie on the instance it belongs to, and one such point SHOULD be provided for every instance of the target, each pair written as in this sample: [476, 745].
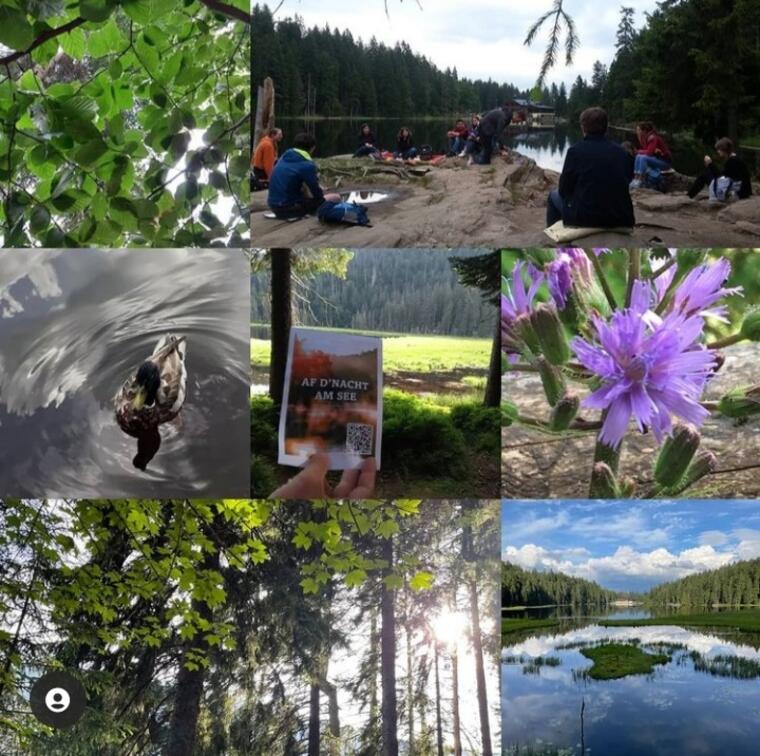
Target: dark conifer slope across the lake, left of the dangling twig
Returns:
[329, 73]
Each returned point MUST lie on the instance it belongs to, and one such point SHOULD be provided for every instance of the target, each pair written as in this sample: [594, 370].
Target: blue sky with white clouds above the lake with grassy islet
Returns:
[629, 546]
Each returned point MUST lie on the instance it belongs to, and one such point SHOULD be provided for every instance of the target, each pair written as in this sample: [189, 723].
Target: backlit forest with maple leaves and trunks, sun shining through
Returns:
[207, 627]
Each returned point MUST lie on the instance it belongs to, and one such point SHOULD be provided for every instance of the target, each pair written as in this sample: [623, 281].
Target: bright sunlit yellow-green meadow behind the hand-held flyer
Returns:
[414, 354]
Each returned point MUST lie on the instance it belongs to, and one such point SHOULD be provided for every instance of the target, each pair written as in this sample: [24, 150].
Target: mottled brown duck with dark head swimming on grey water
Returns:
[155, 393]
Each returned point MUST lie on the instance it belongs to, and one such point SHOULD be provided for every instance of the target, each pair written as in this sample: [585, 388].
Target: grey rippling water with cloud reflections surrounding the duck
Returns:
[75, 324]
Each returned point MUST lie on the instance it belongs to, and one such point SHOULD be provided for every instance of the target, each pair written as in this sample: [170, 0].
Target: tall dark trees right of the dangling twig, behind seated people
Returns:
[693, 67]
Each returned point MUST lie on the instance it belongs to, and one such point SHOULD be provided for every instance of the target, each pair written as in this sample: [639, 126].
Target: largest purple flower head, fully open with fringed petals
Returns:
[650, 368]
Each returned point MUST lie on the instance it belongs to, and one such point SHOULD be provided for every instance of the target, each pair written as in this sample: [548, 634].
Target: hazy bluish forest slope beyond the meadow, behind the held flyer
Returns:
[390, 291]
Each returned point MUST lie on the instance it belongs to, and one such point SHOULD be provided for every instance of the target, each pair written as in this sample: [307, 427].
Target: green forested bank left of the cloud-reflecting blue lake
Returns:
[521, 587]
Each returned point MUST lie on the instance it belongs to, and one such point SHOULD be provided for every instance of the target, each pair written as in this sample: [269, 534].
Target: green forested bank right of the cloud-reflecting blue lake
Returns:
[734, 585]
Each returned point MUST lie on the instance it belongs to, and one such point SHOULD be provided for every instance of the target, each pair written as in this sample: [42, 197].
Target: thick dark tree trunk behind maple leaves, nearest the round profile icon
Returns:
[189, 688]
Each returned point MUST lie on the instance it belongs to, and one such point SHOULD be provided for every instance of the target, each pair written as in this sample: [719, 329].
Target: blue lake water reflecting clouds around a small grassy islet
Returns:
[678, 709]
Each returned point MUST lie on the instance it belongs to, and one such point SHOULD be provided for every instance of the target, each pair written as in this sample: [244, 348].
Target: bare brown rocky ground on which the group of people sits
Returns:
[503, 204]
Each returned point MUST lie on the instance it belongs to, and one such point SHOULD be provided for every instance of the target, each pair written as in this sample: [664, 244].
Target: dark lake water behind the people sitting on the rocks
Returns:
[547, 147]
